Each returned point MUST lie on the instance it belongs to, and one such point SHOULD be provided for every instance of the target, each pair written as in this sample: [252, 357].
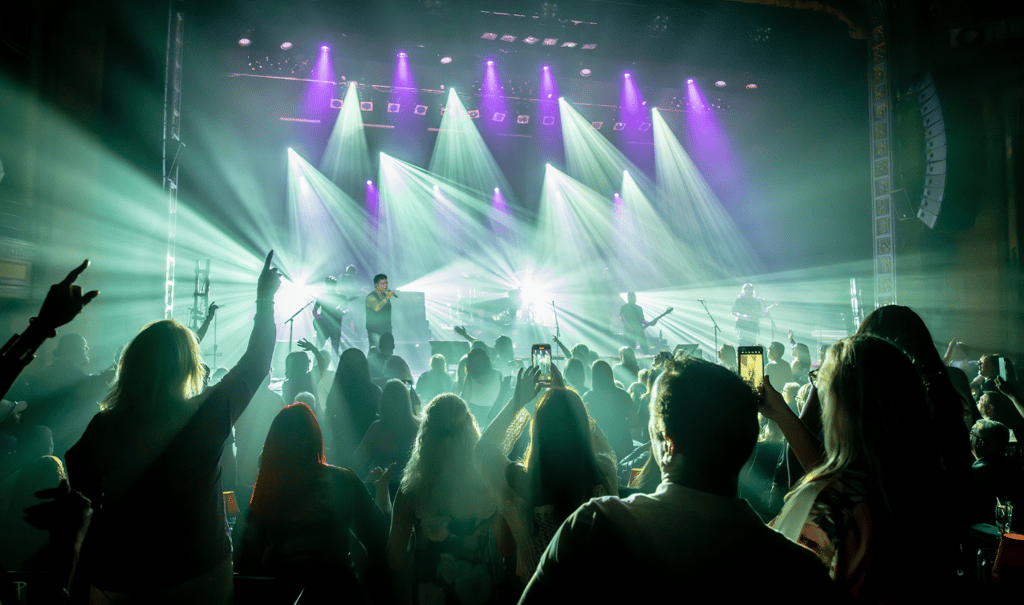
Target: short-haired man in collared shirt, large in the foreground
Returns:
[694, 534]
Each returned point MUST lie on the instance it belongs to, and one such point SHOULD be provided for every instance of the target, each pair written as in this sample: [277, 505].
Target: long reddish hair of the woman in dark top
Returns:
[292, 461]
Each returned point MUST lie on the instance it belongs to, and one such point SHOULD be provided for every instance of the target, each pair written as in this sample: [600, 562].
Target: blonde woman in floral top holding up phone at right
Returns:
[871, 493]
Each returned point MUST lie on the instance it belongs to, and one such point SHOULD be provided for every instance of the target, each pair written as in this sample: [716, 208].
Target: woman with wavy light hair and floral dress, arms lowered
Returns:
[447, 502]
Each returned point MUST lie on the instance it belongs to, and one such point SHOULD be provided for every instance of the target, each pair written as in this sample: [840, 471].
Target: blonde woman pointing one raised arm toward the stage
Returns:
[153, 458]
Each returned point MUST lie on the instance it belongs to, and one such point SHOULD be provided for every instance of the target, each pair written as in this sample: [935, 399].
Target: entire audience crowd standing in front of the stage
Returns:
[873, 476]
